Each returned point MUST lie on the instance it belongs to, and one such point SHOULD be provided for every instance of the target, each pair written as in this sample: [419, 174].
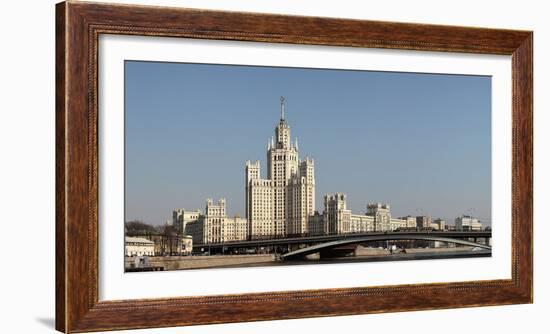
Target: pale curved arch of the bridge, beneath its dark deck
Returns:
[320, 248]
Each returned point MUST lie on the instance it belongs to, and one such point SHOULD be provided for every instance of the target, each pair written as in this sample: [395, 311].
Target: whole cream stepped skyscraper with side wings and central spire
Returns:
[280, 205]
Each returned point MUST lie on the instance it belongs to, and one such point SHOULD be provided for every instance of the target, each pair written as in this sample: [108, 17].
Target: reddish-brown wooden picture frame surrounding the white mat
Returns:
[78, 26]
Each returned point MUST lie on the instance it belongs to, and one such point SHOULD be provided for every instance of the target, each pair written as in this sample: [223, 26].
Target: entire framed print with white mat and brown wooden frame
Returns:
[222, 166]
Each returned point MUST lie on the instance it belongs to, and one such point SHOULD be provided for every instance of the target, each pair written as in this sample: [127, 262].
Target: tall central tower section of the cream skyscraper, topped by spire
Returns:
[282, 163]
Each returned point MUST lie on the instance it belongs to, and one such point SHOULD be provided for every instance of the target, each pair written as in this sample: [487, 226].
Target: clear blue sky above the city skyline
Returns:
[421, 142]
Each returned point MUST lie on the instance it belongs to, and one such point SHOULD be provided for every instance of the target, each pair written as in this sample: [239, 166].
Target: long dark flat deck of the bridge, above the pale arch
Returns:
[296, 242]
